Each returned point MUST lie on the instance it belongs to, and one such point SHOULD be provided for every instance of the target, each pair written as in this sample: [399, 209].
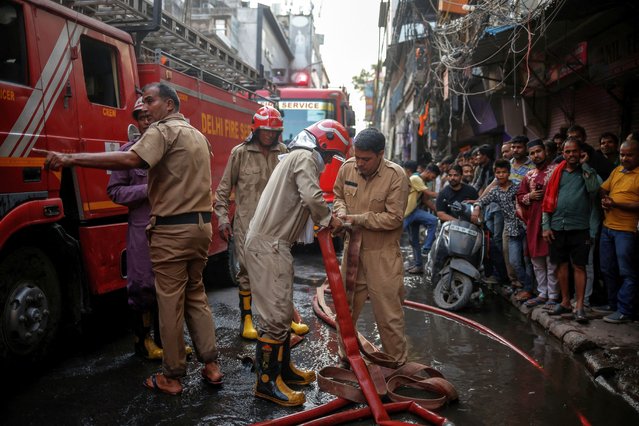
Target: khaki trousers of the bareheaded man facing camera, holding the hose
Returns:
[380, 279]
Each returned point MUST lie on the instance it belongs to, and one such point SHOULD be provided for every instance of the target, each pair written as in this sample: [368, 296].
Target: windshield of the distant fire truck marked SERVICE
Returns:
[301, 113]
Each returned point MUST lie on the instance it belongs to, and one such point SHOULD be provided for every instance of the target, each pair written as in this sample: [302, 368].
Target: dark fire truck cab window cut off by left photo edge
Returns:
[13, 48]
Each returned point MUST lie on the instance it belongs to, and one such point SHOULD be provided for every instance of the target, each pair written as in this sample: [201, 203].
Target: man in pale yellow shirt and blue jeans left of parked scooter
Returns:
[414, 216]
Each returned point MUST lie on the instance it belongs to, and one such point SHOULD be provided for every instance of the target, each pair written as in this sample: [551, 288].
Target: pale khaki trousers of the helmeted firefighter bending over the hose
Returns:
[270, 268]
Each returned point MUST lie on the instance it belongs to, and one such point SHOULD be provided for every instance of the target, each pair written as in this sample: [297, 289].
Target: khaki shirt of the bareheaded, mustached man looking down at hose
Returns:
[377, 204]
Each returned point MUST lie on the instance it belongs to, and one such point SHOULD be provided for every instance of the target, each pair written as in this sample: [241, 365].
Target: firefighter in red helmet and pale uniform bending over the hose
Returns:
[291, 196]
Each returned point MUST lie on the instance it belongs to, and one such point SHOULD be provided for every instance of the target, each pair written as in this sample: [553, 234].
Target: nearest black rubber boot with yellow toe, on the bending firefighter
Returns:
[268, 366]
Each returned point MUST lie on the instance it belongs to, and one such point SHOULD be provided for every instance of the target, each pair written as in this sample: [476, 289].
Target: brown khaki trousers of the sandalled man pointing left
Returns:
[179, 254]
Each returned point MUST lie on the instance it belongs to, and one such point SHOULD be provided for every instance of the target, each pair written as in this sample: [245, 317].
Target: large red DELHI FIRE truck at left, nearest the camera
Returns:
[68, 83]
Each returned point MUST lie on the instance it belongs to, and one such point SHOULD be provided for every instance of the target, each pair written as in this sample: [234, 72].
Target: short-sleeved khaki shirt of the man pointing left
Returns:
[179, 158]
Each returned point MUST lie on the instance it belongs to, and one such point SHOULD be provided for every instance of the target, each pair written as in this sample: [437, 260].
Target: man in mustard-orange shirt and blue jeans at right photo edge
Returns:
[618, 248]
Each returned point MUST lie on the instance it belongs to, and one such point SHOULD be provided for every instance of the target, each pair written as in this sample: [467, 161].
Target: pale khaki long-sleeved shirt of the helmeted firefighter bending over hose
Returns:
[291, 195]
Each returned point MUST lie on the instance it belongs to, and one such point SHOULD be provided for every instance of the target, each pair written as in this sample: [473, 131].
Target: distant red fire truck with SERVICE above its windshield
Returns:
[303, 106]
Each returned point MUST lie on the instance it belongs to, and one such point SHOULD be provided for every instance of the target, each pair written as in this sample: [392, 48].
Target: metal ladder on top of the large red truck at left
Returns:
[206, 52]
